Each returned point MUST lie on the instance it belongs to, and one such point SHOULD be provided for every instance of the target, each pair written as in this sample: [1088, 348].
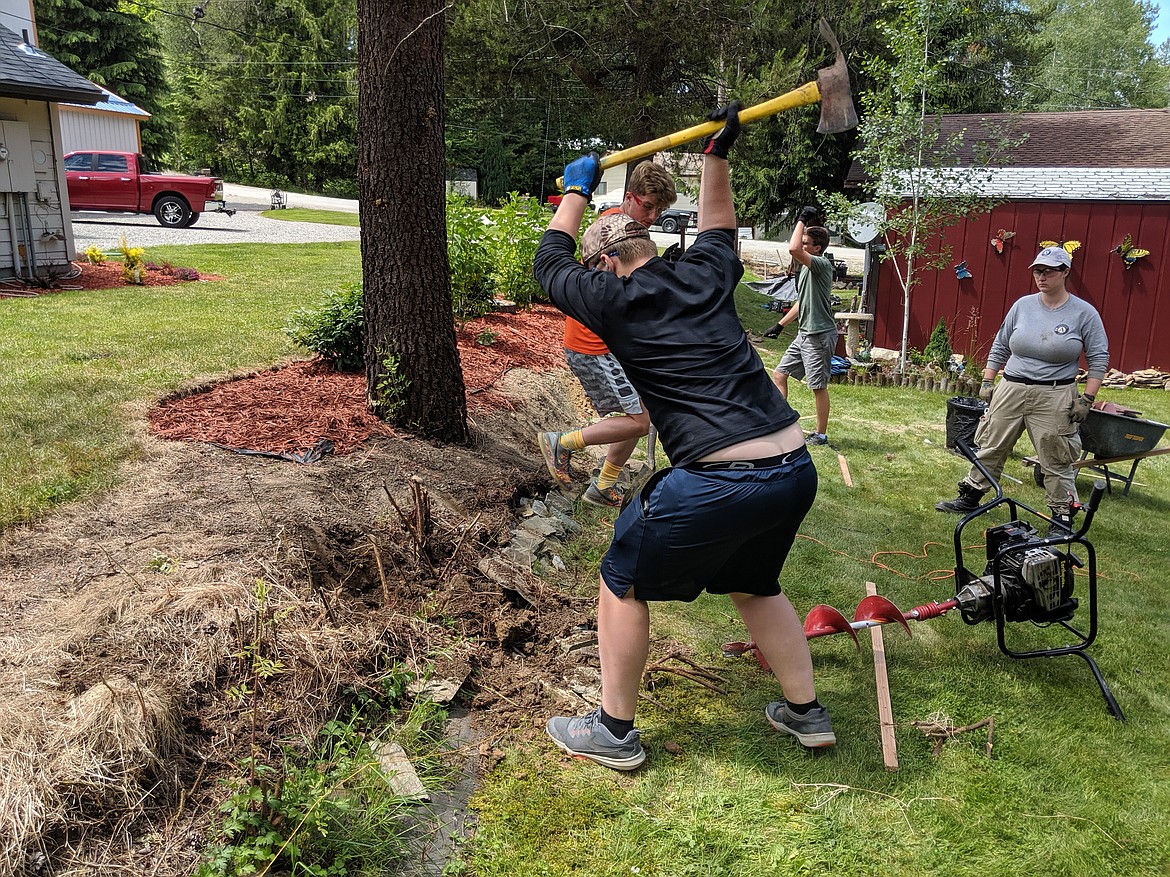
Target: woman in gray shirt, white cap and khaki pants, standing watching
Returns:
[1040, 349]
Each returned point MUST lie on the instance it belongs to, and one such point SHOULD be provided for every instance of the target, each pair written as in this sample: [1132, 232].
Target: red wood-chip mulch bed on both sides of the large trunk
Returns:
[290, 411]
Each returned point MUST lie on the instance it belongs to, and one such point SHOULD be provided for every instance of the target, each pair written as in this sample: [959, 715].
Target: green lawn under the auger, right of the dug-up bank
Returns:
[1069, 791]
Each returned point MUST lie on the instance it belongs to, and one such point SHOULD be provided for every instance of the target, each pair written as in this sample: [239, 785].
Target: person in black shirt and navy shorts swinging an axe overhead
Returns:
[724, 517]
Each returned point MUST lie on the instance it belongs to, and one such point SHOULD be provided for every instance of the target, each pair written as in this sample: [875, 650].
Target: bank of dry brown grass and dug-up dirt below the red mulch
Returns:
[126, 622]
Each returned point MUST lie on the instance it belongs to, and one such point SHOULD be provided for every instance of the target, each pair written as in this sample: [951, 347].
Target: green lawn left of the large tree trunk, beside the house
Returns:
[74, 363]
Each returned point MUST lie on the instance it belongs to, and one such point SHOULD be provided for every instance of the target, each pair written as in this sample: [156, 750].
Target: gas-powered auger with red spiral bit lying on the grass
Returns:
[1027, 578]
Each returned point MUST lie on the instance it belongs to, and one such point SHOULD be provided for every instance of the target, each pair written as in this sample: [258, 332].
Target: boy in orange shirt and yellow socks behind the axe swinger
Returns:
[650, 192]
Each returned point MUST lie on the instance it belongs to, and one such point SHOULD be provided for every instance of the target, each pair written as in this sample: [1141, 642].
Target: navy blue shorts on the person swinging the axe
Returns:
[722, 531]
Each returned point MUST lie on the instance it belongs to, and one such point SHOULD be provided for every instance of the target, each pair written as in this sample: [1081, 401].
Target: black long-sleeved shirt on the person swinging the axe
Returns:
[676, 332]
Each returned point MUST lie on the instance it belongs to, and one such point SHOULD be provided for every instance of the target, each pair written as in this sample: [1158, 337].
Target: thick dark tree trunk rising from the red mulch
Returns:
[412, 362]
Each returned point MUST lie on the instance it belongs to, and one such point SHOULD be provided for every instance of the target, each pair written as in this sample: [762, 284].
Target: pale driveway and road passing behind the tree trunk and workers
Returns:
[247, 226]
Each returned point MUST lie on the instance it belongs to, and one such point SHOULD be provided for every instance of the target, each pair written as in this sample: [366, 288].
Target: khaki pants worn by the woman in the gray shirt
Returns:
[1044, 412]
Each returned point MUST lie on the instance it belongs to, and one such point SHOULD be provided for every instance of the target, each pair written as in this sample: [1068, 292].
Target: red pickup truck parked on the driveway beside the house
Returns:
[123, 183]
